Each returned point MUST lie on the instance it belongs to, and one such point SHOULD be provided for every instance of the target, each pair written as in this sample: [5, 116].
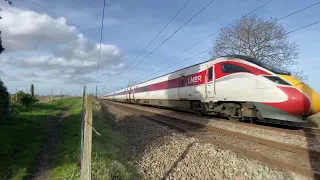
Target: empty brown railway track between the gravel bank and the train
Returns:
[300, 160]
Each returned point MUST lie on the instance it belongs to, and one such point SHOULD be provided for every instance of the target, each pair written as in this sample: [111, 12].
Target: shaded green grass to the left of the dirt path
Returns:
[22, 136]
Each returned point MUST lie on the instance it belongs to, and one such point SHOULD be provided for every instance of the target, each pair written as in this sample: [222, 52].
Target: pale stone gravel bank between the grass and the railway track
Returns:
[163, 153]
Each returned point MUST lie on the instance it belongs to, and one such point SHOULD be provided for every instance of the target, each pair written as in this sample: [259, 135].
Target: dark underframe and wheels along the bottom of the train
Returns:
[236, 111]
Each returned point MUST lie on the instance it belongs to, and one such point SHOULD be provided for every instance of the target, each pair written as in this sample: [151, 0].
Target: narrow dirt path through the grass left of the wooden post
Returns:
[41, 168]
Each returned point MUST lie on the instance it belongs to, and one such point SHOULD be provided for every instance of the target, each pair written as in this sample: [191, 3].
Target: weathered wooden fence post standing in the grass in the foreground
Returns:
[87, 143]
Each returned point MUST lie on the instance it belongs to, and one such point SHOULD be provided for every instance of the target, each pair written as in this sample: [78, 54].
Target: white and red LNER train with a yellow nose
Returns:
[235, 86]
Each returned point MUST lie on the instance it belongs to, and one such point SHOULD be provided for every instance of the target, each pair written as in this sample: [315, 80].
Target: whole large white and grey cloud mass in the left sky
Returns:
[73, 55]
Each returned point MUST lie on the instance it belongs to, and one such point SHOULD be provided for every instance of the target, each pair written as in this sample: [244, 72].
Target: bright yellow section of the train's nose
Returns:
[308, 91]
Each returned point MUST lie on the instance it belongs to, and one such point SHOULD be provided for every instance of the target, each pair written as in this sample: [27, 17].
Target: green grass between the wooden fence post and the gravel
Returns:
[109, 155]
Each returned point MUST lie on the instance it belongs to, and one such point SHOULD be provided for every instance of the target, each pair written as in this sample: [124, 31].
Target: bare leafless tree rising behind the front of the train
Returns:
[264, 39]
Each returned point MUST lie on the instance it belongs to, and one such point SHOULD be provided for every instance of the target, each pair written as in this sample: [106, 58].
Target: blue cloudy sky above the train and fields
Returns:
[55, 44]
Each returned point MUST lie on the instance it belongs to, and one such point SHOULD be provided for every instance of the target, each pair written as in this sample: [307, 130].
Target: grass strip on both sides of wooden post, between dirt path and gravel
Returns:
[109, 158]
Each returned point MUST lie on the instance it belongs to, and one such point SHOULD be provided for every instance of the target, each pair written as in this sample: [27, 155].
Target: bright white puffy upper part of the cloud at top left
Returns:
[29, 30]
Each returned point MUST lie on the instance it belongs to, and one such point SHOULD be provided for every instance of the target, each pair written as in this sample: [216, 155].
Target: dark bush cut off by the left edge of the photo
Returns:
[4, 102]
